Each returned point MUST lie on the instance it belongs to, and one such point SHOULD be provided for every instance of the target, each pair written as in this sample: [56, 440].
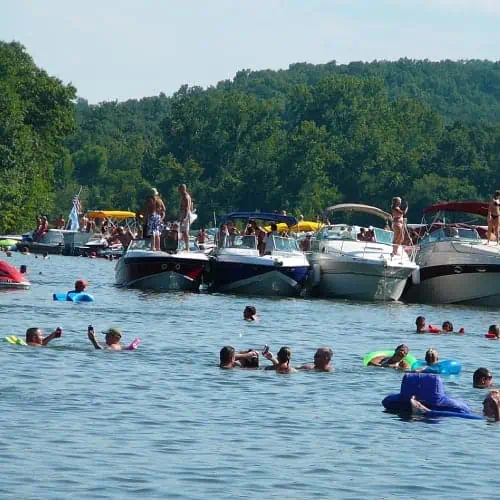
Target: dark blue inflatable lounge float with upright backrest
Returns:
[427, 388]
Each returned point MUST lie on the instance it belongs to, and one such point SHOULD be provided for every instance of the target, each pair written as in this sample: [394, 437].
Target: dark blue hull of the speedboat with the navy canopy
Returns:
[253, 278]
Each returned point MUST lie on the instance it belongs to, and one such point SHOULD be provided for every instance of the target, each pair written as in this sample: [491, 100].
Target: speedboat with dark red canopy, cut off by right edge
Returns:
[457, 266]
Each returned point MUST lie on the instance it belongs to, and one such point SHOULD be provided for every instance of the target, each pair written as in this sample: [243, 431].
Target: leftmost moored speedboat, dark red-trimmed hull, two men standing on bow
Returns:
[171, 269]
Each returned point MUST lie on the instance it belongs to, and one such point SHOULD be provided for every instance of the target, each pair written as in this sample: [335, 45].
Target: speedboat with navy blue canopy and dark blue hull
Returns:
[238, 266]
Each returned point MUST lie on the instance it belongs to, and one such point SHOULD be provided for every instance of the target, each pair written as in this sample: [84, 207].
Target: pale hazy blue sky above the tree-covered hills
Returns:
[122, 49]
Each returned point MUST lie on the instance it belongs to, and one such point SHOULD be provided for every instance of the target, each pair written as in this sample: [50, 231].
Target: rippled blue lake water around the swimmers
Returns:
[165, 421]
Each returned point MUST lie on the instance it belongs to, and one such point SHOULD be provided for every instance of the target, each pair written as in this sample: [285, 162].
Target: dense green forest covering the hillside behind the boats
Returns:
[297, 139]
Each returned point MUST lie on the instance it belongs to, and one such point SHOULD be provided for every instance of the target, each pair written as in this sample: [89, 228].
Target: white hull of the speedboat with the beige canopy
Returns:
[342, 277]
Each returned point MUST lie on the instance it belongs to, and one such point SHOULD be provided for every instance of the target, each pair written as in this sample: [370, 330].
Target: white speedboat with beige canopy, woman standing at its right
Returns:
[347, 267]
